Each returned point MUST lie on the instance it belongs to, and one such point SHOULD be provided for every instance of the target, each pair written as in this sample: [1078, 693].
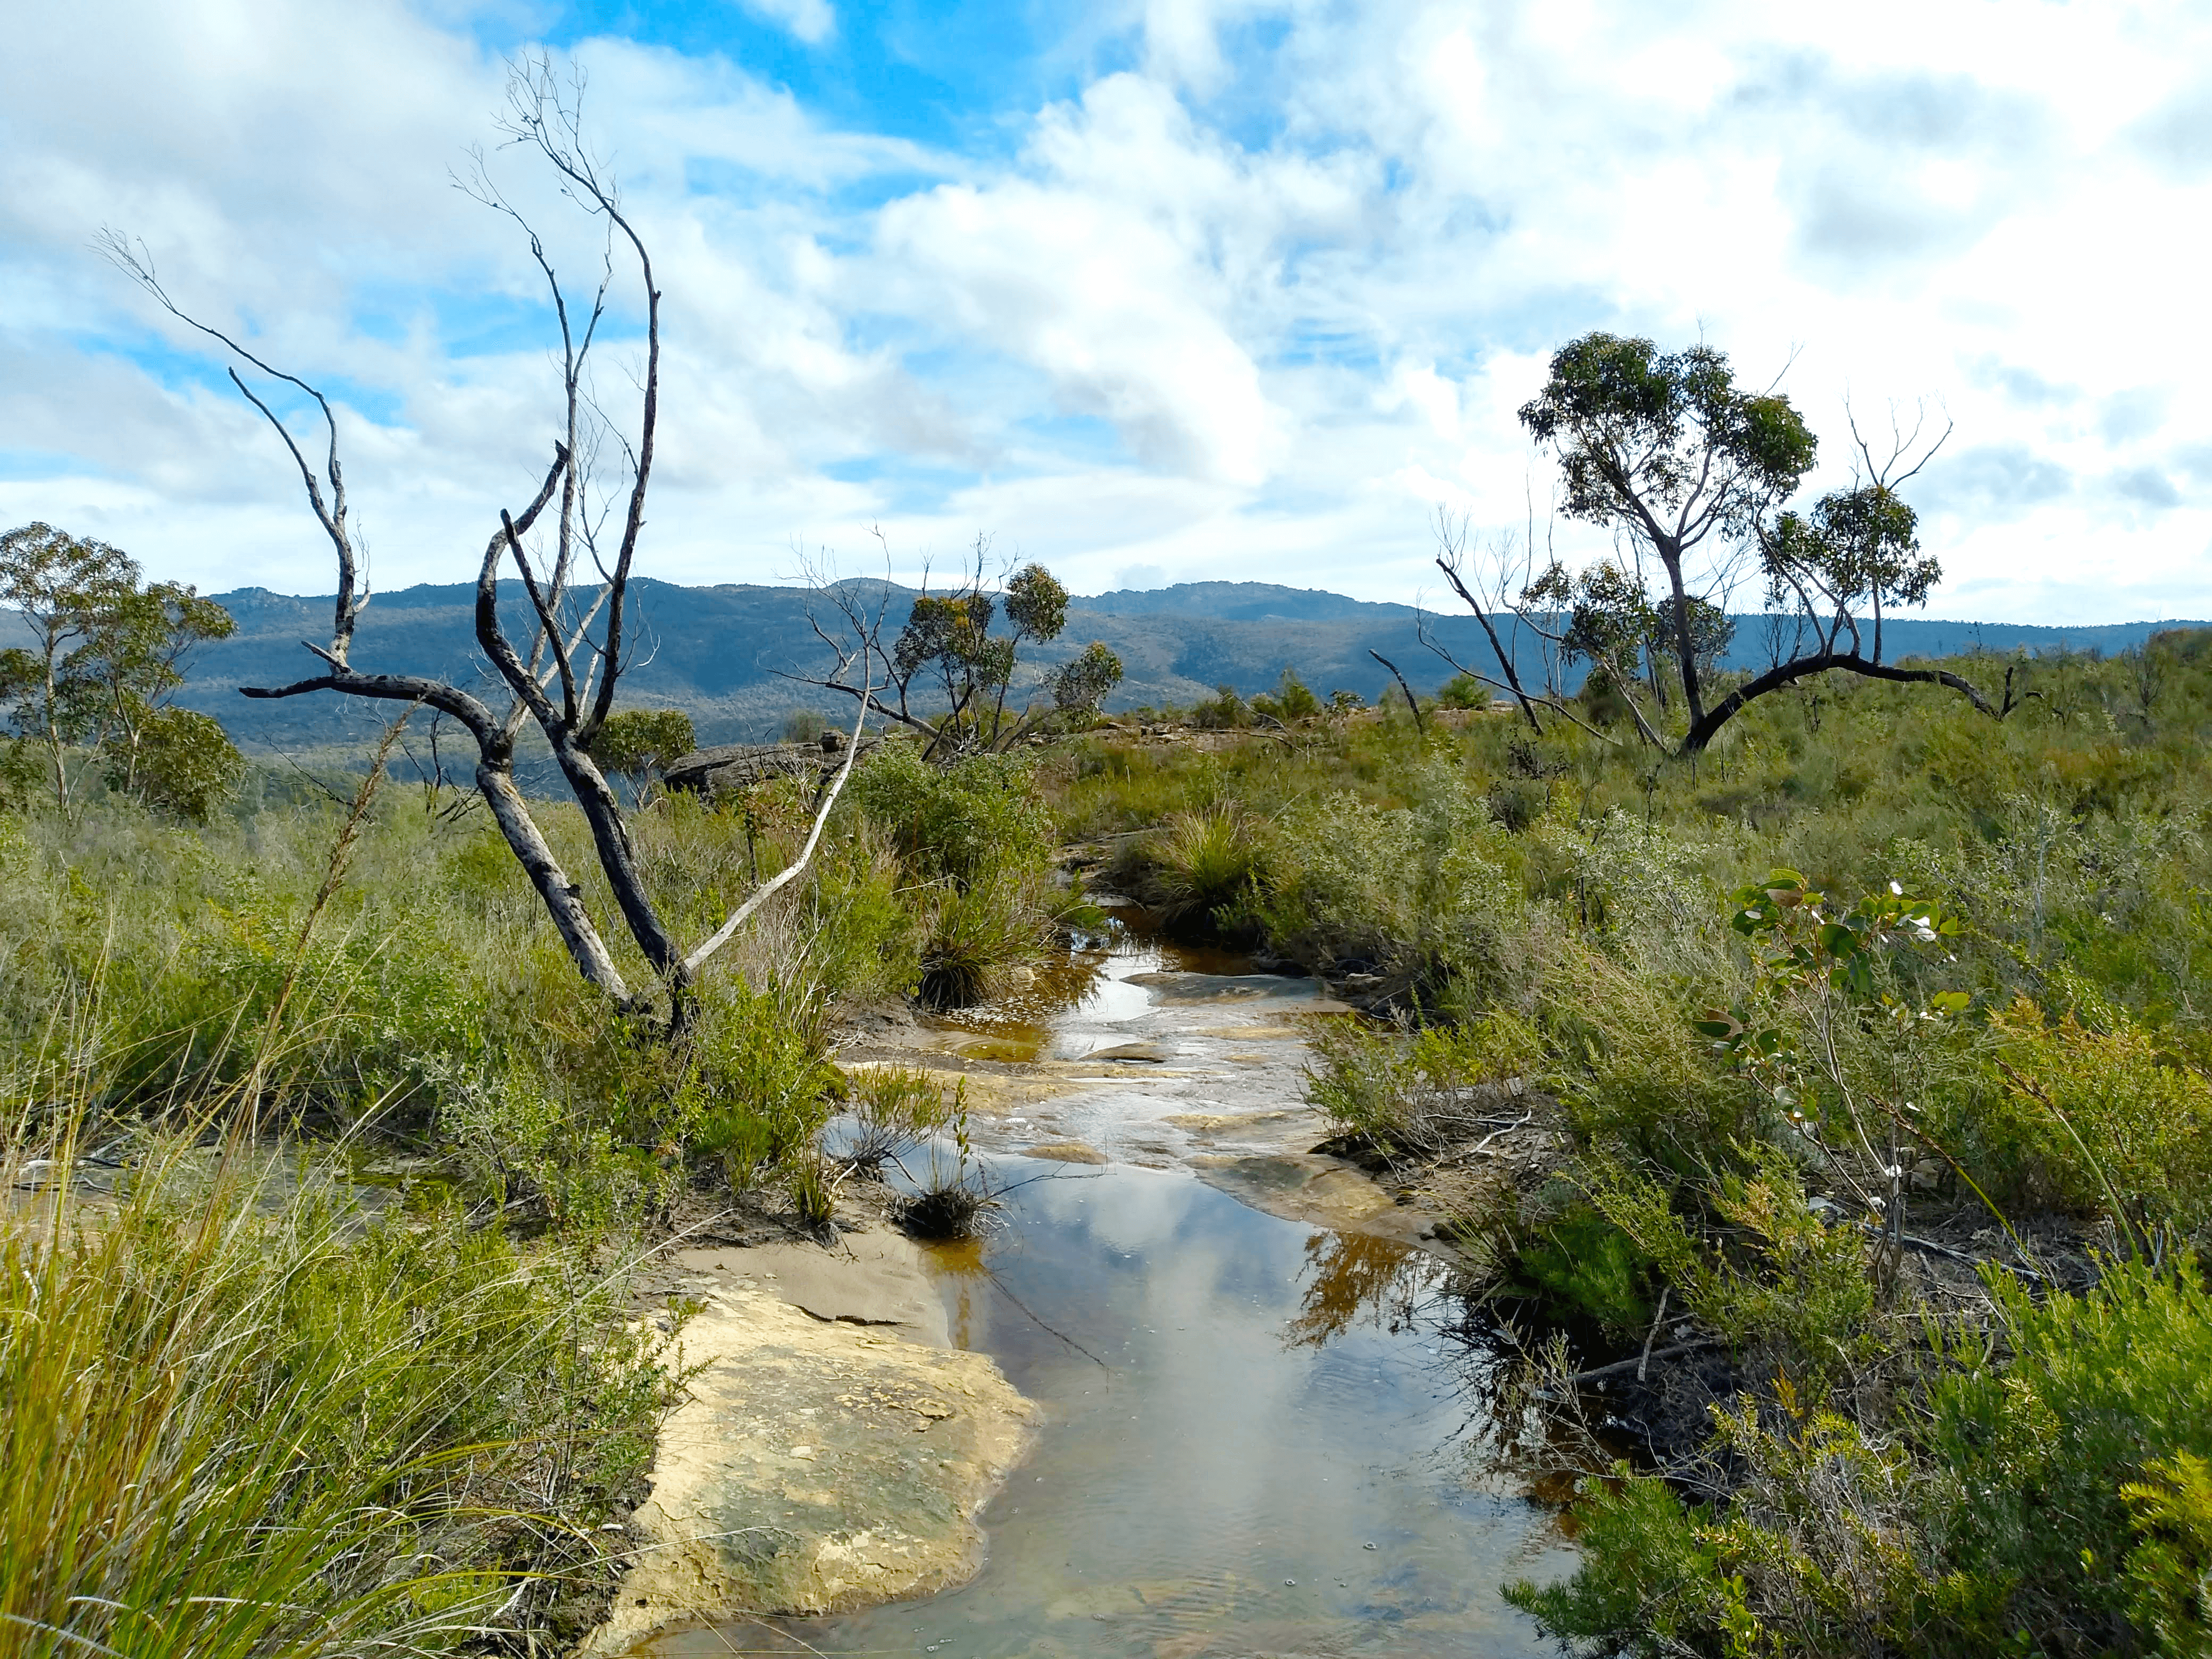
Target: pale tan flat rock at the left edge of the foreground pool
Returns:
[822, 1461]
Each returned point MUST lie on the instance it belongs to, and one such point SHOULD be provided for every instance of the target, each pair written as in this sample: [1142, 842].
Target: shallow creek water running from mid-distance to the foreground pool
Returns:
[1262, 1434]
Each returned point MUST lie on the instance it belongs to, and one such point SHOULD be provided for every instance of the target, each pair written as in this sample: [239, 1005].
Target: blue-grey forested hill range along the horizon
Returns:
[718, 651]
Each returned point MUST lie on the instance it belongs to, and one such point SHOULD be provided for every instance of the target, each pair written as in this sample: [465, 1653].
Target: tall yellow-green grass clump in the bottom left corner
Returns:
[249, 1417]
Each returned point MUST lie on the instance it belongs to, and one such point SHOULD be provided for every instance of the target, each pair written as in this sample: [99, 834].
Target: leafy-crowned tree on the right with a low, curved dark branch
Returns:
[1691, 474]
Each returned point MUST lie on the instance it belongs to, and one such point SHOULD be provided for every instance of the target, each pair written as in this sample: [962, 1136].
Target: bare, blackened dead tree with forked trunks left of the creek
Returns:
[561, 669]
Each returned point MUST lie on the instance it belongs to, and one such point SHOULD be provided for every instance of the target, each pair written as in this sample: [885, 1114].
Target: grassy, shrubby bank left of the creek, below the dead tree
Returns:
[333, 1180]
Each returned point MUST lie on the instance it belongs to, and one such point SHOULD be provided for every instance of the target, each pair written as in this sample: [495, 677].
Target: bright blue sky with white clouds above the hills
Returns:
[1156, 291]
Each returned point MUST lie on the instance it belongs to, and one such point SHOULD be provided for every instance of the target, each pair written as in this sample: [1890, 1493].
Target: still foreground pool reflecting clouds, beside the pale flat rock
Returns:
[1258, 1443]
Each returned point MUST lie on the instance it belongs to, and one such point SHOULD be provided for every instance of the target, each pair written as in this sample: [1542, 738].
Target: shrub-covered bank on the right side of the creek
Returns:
[1833, 1118]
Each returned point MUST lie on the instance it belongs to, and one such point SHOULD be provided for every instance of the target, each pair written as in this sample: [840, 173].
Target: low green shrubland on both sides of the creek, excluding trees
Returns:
[1868, 1052]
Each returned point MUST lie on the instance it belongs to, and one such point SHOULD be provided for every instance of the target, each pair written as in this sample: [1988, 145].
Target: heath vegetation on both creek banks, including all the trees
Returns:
[1815, 1056]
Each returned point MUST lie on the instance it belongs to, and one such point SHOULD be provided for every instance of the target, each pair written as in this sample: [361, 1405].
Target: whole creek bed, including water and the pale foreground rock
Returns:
[1189, 1399]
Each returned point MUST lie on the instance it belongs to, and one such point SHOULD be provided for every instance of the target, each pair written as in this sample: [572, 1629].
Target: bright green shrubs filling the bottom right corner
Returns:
[2052, 1505]
